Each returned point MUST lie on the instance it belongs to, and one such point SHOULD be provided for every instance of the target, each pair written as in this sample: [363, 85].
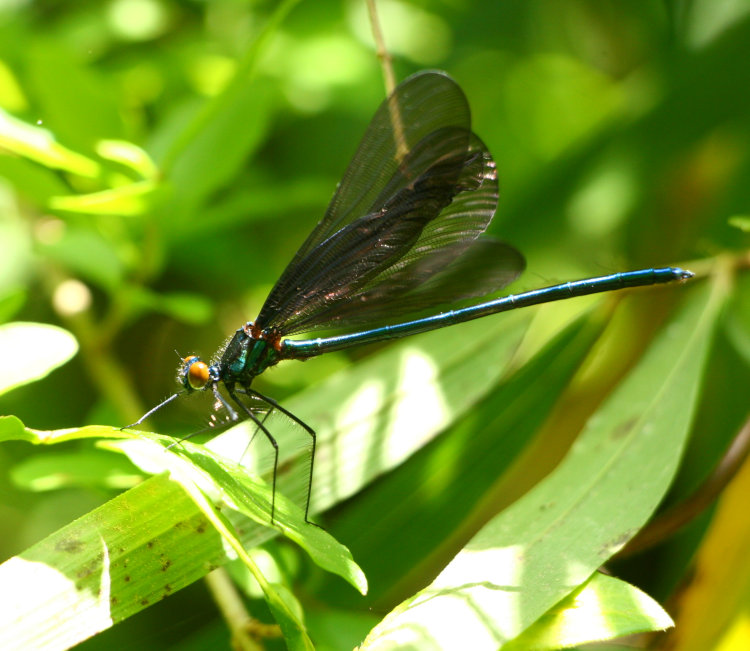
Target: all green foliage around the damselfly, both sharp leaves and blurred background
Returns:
[159, 164]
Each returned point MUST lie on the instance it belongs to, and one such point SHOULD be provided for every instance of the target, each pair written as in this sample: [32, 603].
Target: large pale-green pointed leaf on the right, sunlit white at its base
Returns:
[551, 540]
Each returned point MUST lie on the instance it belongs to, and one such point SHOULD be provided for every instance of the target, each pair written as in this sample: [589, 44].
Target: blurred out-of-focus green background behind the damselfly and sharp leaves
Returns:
[620, 132]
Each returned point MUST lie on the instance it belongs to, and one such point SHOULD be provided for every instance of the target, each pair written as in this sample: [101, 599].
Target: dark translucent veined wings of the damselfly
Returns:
[401, 232]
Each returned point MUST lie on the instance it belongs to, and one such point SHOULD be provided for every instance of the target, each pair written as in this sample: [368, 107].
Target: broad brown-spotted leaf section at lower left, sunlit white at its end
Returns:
[109, 564]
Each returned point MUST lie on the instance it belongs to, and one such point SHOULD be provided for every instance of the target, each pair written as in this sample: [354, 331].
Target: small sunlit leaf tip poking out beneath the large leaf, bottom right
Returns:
[603, 609]
